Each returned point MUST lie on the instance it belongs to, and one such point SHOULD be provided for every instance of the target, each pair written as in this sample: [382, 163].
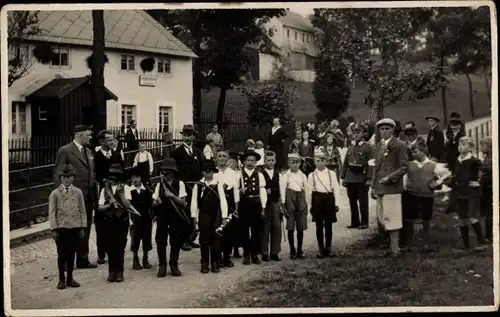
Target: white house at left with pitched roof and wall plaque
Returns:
[160, 99]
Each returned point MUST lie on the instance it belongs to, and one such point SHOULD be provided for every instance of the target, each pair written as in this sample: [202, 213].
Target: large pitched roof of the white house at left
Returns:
[124, 29]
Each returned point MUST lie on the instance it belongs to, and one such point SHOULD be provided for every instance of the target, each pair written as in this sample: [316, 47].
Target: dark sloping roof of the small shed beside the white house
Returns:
[60, 87]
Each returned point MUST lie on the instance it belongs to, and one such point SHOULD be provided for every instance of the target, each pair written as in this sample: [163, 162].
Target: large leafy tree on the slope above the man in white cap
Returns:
[384, 34]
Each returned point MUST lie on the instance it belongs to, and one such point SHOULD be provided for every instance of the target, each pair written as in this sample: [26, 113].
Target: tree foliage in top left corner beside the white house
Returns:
[20, 26]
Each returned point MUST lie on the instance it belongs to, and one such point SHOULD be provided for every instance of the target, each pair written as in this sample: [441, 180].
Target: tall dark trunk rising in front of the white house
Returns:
[97, 71]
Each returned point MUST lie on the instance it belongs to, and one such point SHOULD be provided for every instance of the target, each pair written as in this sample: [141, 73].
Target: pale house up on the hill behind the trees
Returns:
[293, 35]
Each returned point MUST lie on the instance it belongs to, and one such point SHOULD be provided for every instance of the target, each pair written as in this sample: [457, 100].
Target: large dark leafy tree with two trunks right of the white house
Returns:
[220, 39]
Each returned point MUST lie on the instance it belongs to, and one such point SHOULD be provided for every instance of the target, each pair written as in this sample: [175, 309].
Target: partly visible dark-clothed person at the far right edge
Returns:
[487, 188]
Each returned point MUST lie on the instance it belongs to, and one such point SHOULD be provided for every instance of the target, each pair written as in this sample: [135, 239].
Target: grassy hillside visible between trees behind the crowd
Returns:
[304, 107]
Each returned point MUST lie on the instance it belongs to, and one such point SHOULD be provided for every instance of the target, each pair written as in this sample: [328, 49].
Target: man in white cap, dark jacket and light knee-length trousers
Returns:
[391, 164]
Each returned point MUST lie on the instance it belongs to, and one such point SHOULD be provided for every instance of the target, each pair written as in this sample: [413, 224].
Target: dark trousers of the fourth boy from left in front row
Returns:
[163, 232]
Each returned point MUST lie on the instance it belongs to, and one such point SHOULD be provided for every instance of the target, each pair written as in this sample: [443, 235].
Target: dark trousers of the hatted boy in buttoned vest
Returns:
[251, 225]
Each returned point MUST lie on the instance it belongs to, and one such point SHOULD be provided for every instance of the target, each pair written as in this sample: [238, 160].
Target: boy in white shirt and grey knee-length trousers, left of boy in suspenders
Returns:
[294, 194]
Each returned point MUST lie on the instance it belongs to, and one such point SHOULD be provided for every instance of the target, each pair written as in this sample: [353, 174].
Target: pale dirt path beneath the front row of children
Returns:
[34, 276]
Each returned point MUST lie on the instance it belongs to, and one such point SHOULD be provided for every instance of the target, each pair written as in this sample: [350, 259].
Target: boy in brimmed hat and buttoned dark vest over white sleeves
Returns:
[252, 205]
